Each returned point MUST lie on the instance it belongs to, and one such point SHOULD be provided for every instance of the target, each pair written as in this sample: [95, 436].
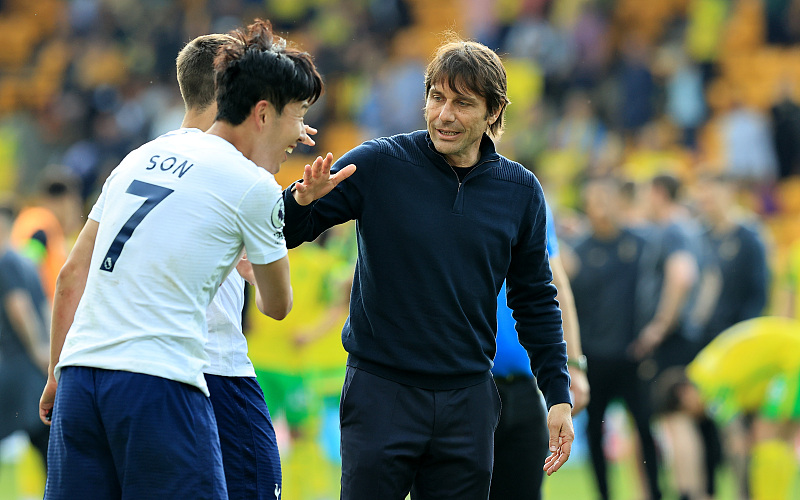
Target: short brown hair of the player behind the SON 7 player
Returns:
[195, 65]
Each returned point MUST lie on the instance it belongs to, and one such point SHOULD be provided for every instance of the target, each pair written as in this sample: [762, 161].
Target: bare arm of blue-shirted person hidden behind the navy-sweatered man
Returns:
[579, 384]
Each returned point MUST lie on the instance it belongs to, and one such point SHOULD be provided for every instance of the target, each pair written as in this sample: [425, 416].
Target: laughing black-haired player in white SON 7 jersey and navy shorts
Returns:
[131, 416]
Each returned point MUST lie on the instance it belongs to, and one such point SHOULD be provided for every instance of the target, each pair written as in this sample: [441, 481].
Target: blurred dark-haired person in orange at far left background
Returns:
[41, 231]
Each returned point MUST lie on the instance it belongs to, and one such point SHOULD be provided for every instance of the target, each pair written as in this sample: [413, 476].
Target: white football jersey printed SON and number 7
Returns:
[173, 218]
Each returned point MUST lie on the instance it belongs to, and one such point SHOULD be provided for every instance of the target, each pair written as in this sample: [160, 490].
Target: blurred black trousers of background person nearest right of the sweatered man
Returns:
[611, 379]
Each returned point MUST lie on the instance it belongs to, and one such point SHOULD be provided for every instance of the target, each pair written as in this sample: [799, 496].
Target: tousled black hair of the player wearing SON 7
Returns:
[259, 66]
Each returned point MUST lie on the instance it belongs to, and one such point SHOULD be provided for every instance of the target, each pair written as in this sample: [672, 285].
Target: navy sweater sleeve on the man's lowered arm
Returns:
[532, 297]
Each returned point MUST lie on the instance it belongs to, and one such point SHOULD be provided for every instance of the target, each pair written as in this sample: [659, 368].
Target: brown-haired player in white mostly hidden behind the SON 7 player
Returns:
[247, 439]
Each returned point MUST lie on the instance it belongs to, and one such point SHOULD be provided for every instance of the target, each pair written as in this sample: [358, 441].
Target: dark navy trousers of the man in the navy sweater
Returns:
[397, 438]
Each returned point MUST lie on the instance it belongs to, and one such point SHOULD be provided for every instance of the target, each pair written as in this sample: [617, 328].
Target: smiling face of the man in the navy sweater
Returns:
[456, 123]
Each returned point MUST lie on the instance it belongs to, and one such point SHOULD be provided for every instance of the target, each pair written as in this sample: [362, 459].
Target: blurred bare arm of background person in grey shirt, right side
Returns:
[680, 274]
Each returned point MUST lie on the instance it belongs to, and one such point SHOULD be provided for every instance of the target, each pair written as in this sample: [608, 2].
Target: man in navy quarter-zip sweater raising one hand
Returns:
[441, 221]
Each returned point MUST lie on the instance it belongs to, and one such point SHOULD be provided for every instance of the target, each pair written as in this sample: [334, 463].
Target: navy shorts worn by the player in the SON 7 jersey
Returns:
[123, 435]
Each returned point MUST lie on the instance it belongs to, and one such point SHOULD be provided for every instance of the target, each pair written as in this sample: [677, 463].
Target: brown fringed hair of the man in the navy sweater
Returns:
[471, 66]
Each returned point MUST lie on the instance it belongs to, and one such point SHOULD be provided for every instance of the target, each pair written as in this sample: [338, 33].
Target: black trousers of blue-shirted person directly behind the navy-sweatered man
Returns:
[520, 441]
